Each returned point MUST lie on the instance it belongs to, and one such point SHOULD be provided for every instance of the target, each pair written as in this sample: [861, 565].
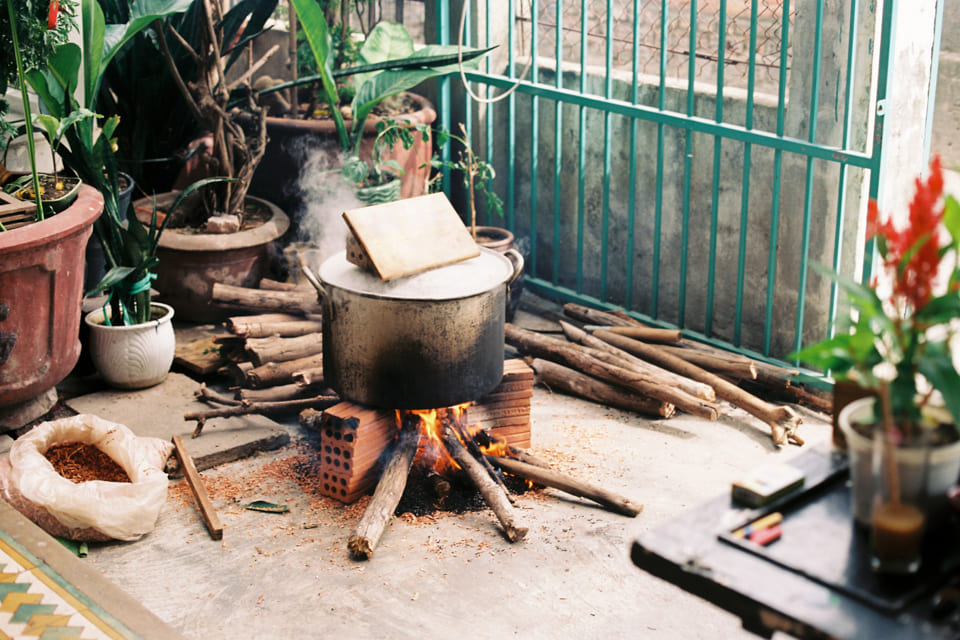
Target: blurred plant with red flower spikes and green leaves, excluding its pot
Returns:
[901, 340]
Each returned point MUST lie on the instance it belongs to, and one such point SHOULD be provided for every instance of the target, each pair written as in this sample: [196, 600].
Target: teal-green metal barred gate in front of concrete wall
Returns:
[684, 160]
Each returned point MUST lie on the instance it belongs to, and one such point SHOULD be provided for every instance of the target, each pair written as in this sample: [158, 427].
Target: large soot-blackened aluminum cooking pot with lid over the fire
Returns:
[430, 340]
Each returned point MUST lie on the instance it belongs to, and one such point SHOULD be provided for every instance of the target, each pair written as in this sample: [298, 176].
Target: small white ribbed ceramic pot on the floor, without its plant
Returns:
[136, 356]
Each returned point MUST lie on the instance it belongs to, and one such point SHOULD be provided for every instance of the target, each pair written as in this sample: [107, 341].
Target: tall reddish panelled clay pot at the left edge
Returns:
[41, 284]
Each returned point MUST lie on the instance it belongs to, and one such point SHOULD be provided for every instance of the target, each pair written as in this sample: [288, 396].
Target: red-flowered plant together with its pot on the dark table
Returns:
[898, 347]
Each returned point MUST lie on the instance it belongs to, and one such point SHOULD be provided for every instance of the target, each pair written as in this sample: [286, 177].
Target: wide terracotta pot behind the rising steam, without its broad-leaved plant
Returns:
[290, 140]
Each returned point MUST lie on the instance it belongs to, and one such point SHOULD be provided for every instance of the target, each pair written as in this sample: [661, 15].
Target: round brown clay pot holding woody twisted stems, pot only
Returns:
[190, 263]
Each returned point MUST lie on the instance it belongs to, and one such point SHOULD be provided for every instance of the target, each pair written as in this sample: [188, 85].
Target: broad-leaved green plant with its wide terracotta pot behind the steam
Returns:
[386, 68]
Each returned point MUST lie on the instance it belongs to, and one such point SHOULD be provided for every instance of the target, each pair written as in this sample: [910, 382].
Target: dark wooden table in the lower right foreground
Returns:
[815, 581]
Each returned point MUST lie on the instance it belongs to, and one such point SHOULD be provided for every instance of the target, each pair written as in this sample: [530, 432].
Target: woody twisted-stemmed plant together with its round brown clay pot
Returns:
[221, 234]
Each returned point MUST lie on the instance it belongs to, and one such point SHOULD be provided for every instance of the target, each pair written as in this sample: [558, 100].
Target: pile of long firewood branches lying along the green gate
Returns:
[611, 358]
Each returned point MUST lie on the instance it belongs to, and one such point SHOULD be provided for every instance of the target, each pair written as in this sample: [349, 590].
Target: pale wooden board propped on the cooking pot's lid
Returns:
[408, 236]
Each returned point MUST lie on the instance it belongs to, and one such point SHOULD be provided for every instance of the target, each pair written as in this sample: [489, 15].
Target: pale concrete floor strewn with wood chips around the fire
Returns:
[289, 575]
